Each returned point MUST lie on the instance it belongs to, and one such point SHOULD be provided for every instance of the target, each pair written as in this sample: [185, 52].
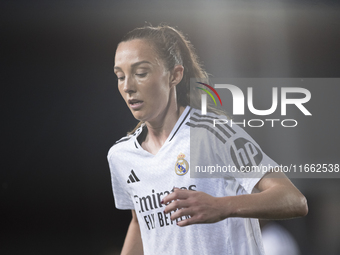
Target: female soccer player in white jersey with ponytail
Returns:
[150, 167]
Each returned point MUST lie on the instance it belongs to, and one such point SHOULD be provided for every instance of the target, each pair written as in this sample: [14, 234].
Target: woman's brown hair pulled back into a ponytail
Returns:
[174, 49]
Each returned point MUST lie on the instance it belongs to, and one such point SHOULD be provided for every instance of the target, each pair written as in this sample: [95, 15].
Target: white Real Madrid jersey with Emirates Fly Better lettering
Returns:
[140, 180]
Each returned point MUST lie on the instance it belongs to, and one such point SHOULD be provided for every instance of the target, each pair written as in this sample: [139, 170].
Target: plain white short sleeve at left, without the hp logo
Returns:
[122, 198]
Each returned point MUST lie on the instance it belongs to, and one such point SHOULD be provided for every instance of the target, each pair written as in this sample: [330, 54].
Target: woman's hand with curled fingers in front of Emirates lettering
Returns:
[201, 207]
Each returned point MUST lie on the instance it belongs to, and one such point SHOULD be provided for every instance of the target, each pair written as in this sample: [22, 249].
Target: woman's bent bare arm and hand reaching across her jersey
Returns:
[278, 199]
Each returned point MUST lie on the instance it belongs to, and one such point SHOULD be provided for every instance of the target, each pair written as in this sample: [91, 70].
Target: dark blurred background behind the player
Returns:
[62, 111]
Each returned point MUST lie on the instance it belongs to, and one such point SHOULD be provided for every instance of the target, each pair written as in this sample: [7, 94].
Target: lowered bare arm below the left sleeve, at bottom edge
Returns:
[133, 241]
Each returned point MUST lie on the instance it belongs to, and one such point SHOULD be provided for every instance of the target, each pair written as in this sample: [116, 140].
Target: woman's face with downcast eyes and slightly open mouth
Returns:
[143, 80]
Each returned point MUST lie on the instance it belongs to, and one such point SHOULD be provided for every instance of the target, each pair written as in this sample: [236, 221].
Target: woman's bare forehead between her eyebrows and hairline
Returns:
[135, 51]
